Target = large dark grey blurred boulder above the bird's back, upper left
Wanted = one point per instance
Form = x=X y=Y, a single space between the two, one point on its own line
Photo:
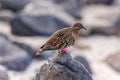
x=30 y=25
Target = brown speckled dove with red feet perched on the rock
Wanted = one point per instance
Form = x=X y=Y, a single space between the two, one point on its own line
x=62 y=39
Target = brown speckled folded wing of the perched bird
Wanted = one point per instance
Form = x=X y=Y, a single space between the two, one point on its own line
x=60 y=39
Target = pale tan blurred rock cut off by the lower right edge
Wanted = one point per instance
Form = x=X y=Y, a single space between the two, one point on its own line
x=114 y=61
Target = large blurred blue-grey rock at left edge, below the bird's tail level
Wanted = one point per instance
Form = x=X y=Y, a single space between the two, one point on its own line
x=12 y=56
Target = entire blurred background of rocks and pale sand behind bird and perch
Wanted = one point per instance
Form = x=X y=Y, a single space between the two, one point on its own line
x=26 y=24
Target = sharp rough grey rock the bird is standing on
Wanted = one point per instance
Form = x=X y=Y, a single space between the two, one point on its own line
x=63 y=67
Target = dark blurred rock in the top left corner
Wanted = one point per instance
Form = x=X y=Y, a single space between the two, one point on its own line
x=14 y=5
